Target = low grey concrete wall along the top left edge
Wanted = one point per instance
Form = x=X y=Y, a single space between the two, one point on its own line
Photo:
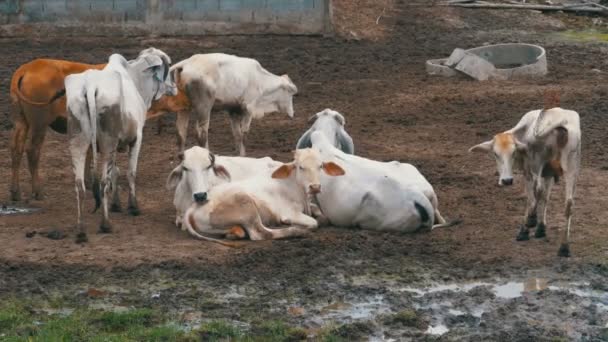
x=171 y=17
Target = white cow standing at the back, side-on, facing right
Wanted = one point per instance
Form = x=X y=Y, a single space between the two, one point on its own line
x=219 y=81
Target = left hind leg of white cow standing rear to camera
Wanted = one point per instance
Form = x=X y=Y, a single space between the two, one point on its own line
x=79 y=144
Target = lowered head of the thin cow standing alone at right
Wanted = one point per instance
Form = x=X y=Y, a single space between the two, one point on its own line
x=507 y=151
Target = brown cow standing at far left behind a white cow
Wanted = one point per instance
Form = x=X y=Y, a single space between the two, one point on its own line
x=37 y=101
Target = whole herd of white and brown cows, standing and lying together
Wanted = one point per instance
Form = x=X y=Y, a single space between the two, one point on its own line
x=103 y=109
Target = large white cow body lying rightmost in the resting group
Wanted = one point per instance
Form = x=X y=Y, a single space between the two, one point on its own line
x=375 y=195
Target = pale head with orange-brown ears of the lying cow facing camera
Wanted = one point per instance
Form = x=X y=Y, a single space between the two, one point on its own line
x=306 y=169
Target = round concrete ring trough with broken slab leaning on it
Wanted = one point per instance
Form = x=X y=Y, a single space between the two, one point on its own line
x=500 y=61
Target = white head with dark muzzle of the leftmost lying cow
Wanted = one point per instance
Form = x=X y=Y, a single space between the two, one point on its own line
x=196 y=168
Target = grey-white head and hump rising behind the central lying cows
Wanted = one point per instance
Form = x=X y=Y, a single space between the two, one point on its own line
x=331 y=123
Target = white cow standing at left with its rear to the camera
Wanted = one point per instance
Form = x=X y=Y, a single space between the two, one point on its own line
x=116 y=100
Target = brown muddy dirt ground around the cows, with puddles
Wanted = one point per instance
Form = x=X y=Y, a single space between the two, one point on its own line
x=363 y=282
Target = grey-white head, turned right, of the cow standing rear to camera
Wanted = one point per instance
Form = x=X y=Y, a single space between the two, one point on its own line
x=157 y=63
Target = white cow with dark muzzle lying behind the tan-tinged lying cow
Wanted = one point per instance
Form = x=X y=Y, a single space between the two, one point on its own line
x=200 y=170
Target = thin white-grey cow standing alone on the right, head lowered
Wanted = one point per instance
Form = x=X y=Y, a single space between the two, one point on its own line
x=545 y=144
